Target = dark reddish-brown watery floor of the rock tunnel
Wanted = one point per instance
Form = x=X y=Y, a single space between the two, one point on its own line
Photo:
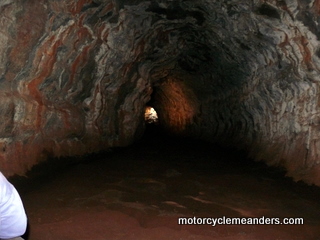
x=139 y=192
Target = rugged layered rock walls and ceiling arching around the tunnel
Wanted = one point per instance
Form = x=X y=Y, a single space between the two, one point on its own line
x=76 y=76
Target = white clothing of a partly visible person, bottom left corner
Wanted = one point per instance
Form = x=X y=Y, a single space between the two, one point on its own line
x=13 y=220
